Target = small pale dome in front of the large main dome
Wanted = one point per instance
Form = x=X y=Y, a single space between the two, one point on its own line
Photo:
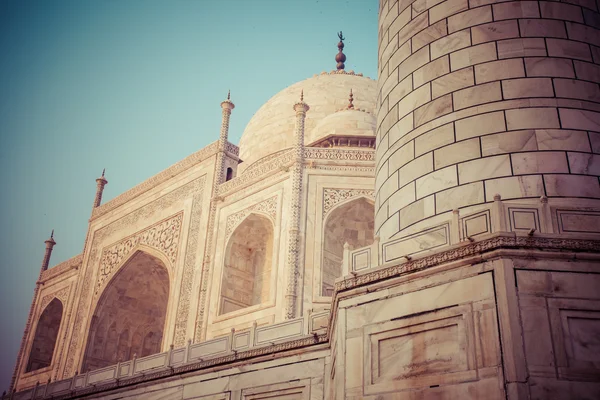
x=349 y=122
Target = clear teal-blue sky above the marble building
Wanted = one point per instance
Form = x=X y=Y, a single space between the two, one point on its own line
x=134 y=86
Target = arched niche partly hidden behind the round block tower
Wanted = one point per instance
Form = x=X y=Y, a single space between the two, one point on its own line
x=353 y=223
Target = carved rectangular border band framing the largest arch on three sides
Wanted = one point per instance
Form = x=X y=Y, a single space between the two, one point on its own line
x=195 y=189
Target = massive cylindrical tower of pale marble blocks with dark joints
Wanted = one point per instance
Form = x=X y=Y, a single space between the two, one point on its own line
x=483 y=97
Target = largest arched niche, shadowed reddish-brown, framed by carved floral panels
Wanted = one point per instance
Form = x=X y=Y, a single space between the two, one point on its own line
x=130 y=315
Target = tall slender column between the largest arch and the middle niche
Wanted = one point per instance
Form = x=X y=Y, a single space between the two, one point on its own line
x=226 y=106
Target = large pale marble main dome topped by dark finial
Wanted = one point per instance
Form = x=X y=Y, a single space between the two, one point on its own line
x=271 y=129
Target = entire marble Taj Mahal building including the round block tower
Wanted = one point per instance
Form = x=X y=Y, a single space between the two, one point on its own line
x=430 y=234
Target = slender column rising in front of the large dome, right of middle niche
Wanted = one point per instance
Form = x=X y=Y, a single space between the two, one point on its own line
x=296 y=203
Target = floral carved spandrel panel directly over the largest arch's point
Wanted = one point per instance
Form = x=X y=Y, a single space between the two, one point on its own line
x=163 y=236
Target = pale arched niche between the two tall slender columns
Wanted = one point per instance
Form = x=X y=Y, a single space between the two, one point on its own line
x=248 y=261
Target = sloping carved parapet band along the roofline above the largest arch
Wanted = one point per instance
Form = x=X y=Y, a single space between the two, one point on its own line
x=157 y=179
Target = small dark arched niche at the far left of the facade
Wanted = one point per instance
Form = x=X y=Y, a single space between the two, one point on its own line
x=45 y=337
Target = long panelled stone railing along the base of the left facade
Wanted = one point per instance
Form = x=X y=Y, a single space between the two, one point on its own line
x=235 y=346
